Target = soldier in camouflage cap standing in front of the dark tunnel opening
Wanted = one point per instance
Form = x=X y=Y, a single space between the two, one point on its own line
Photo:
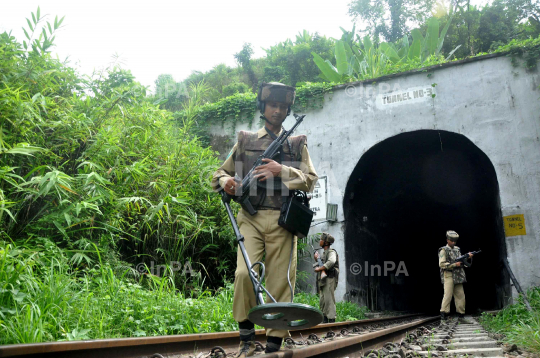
x=452 y=276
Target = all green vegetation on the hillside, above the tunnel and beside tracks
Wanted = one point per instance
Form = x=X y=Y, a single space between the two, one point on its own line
x=100 y=183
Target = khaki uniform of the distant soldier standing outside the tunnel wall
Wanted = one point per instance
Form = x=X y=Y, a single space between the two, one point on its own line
x=326 y=287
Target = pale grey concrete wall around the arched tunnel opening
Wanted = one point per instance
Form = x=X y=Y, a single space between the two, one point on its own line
x=489 y=102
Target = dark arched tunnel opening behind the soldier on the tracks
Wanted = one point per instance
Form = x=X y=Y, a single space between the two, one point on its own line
x=400 y=200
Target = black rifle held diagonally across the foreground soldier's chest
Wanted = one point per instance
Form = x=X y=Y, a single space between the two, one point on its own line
x=249 y=181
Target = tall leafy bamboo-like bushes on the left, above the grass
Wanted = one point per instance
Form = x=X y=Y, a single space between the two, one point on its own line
x=92 y=161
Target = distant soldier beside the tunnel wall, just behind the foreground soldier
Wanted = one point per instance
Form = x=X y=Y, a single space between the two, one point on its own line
x=327 y=285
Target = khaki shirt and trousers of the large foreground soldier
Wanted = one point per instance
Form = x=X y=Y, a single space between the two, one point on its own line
x=261 y=232
